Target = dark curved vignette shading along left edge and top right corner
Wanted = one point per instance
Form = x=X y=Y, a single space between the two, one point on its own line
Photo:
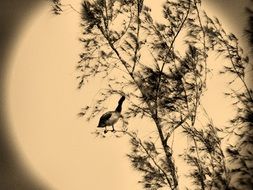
x=13 y=13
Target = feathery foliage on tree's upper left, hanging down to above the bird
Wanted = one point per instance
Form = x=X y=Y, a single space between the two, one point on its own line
x=100 y=36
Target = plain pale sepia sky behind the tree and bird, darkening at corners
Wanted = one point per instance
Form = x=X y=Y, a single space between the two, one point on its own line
x=43 y=143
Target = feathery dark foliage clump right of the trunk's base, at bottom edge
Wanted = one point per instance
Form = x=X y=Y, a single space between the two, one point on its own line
x=205 y=155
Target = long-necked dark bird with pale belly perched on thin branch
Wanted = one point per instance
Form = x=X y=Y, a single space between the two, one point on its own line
x=111 y=117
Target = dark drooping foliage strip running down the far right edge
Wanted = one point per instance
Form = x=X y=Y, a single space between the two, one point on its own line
x=240 y=152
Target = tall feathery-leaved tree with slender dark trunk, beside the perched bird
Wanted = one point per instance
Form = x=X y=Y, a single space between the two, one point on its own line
x=168 y=87
